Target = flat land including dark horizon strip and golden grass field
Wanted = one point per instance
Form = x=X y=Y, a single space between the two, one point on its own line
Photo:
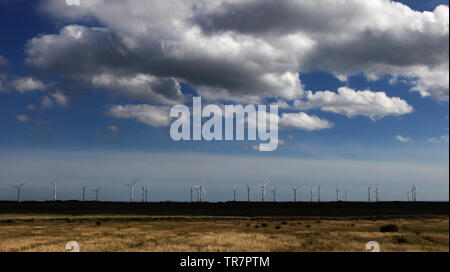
x=48 y=226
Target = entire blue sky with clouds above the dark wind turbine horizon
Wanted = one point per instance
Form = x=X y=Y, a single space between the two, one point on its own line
x=362 y=89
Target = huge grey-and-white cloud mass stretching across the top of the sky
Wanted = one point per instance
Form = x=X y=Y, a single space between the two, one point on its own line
x=226 y=50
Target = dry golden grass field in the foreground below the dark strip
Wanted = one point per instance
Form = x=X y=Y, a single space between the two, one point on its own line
x=168 y=234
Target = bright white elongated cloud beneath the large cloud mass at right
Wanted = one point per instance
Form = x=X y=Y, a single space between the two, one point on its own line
x=351 y=103
